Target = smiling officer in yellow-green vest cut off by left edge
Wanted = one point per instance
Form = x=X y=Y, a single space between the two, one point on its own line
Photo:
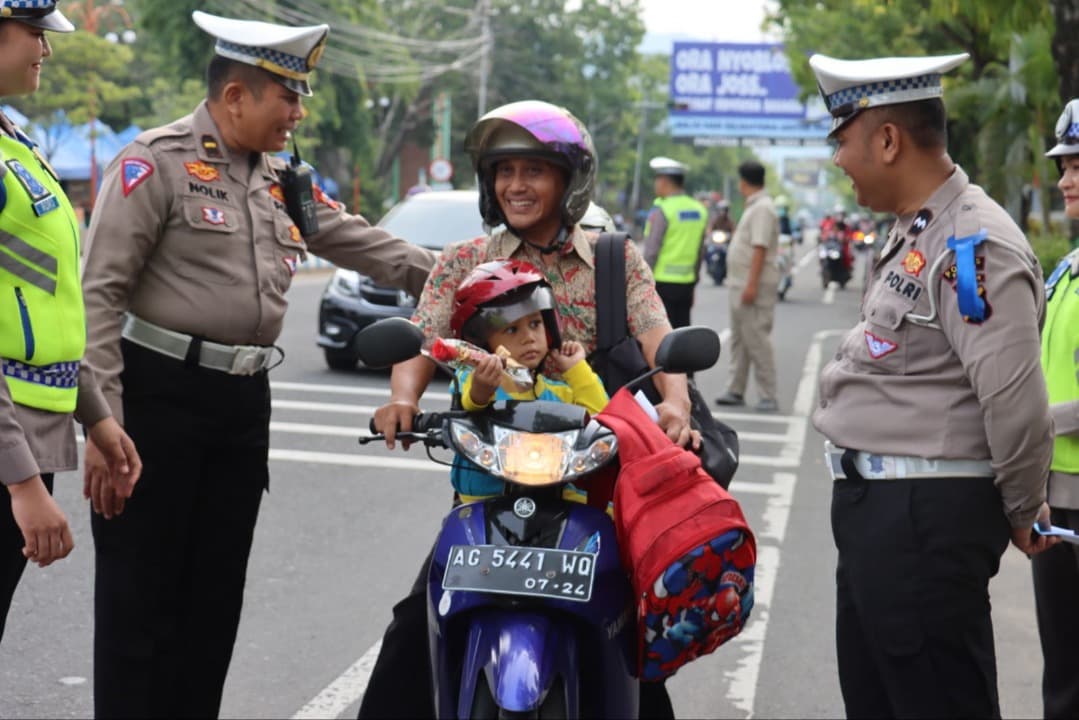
x=43 y=329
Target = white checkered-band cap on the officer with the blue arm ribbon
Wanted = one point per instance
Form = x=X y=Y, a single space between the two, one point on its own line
x=851 y=87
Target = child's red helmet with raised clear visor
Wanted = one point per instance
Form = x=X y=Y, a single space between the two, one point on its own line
x=500 y=293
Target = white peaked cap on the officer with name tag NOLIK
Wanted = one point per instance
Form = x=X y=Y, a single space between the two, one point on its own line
x=289 y=53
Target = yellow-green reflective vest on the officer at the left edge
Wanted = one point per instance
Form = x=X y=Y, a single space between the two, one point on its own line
x=43 y=320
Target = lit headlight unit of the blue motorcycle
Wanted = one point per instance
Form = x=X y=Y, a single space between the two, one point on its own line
x=534 y=459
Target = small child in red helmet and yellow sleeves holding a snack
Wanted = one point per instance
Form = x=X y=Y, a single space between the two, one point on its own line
x=510 y=304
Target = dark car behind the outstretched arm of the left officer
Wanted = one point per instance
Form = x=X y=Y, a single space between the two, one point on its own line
x=352 y=301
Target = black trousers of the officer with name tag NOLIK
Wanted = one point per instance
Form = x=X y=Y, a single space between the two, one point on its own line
x=171 y=569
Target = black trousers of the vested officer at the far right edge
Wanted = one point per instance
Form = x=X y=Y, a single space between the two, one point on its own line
x=1056 y=590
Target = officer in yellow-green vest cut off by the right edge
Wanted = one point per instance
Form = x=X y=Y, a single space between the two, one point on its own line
x=1057 y=570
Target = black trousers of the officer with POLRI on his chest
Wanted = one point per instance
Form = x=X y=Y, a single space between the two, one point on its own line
x=914 y=636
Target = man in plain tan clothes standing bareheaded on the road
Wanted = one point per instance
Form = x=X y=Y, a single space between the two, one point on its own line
x=754 y=279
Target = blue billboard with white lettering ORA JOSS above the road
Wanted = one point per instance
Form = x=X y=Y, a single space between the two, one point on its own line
x=720 y=90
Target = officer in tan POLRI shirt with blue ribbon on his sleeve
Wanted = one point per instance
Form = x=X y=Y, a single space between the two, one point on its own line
x=935 y=407
